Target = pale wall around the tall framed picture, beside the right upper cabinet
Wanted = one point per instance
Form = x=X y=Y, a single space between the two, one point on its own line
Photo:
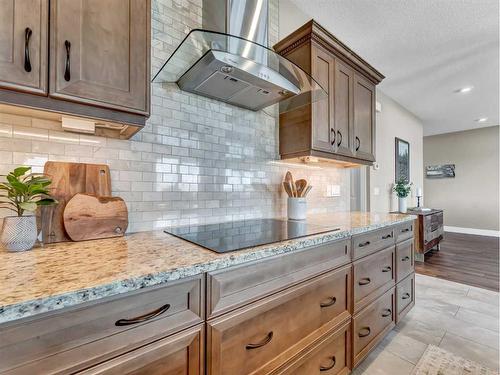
x=394 y=121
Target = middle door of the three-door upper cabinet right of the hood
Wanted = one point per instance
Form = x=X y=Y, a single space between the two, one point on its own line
x=344 y=84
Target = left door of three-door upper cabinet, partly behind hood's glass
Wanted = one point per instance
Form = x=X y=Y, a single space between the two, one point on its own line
x=323 y=133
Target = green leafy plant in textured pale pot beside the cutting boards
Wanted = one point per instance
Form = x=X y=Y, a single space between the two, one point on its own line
x=22 y=193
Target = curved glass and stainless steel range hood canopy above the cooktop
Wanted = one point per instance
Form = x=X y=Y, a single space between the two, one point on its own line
x=238 y=71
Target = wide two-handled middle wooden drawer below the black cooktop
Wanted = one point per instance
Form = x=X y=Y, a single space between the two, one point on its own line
x=243 y=341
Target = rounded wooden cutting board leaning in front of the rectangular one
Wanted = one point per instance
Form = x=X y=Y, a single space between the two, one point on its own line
x=90 y=217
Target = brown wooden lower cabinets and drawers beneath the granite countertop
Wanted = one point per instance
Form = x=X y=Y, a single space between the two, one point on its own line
x=318 y=310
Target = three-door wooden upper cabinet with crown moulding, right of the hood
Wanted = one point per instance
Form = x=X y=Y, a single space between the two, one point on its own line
x=342 y=126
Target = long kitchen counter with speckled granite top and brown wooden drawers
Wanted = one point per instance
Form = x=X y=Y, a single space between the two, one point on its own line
x=150 y=300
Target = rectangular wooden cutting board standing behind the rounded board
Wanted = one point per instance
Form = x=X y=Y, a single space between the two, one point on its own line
x=69 y=179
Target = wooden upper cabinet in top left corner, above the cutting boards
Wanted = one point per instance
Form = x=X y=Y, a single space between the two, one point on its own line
x=99 y=64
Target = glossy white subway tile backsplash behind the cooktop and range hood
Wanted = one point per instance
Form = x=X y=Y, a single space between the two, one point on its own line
x=196 y=161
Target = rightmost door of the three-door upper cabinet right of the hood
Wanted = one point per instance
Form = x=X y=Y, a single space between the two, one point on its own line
x=364 y=119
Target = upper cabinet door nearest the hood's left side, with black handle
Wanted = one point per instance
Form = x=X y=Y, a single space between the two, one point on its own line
x=100 y=53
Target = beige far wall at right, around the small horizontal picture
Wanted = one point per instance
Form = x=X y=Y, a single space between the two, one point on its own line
x=470 y=200
